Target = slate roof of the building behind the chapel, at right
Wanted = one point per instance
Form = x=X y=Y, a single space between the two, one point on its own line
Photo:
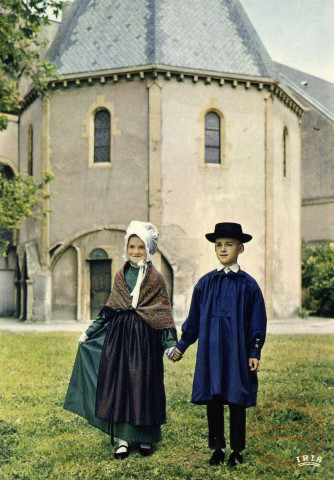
x=315 y=90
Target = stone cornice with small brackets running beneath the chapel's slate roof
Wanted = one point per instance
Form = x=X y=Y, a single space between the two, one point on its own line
x=177 y=73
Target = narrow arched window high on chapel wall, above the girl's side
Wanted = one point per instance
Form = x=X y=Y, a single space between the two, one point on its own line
x=102 y=136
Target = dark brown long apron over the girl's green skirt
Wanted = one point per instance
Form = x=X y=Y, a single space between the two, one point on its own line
x=130 y=386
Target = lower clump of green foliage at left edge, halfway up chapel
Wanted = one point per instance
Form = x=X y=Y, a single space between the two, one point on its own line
x=20 y=197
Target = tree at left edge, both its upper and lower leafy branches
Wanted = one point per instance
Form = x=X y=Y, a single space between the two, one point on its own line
x=21 y=55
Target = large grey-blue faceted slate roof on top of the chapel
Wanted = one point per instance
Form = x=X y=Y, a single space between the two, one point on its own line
x=211 y=35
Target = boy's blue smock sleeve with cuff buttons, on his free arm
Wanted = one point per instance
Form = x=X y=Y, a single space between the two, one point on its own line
x=257 y=324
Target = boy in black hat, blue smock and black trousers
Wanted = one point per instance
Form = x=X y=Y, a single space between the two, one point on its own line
x=227 y=316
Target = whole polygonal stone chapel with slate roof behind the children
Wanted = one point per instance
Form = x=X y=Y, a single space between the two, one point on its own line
x=164 y=111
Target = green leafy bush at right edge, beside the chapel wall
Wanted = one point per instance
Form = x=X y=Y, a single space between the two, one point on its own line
x=318 y=279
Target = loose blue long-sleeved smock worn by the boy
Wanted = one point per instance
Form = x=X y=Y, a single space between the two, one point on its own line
x=227 y=316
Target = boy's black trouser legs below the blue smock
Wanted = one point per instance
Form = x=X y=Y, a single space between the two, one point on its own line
x=215 y=413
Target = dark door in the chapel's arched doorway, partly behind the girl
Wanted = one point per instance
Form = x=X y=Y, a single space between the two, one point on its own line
x=100 y=285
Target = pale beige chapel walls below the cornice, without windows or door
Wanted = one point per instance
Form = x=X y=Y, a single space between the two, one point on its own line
x=157 y=172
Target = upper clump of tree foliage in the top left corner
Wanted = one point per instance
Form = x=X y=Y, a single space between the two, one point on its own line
x=20 y=49
